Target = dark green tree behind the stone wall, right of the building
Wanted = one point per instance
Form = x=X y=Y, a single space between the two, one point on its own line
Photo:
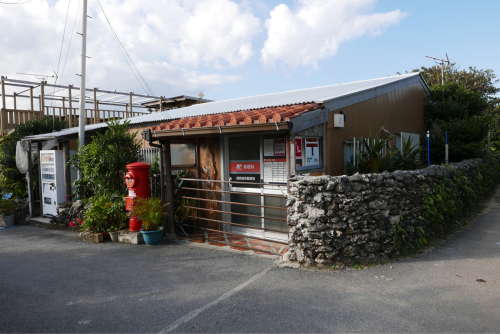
x=463 y=107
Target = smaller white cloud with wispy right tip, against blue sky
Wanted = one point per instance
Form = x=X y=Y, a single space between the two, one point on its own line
x=316 y=28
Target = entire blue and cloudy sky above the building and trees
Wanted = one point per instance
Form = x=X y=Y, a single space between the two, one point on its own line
x=229 y=49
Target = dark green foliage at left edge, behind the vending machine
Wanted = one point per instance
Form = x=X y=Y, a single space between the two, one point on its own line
x=10 y=178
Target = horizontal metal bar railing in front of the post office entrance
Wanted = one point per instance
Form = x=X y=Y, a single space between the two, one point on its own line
x=208 y=196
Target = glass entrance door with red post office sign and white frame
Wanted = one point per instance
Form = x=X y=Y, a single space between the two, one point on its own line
x=257 y=159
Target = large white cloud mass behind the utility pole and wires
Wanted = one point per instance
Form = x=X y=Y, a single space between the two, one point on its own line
x=180 y=46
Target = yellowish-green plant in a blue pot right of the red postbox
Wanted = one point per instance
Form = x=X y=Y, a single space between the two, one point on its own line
x=150 y=212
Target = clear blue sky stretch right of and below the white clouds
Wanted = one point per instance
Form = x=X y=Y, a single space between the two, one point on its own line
x=466 y=30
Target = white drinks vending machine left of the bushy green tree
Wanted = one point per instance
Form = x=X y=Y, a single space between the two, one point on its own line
x=52 y=167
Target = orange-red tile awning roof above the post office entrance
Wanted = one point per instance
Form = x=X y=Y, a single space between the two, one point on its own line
x=264 y=115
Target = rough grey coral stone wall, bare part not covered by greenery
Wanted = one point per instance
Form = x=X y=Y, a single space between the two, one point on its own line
x=350 y=219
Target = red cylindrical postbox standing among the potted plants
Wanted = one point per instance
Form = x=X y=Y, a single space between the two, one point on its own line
x=137 y=181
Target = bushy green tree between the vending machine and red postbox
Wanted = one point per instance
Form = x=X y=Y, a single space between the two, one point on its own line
x=102 y=162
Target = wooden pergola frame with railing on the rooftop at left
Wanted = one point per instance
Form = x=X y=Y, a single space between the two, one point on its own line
x=26 y=100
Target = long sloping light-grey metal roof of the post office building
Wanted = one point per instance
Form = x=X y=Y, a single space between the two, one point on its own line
x=317 y=94
